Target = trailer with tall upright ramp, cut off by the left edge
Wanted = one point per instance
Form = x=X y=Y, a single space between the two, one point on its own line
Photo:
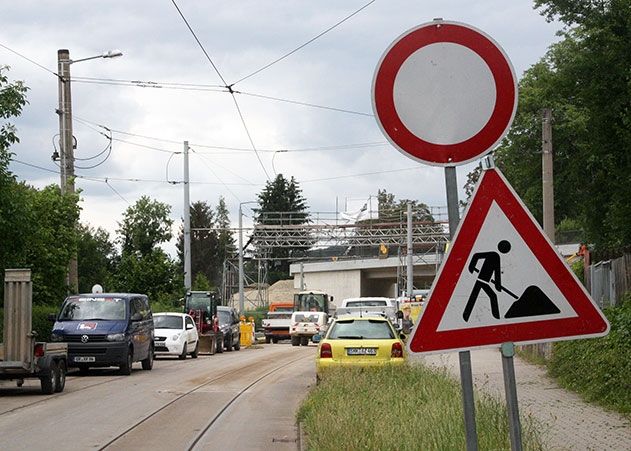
x=21 y=356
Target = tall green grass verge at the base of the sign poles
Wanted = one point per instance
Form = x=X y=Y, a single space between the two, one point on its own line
x=409 y=408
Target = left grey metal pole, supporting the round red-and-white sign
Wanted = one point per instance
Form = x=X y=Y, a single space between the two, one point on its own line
x=466 y=378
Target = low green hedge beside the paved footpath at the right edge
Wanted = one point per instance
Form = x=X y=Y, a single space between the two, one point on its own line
x=599 y=368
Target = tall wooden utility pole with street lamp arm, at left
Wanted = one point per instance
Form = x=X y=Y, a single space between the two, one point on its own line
x=66 y=141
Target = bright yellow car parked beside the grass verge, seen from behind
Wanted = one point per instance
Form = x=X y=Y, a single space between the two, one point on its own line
x=359 y=341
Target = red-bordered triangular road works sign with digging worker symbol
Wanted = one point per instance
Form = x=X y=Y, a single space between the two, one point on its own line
x=503 y=281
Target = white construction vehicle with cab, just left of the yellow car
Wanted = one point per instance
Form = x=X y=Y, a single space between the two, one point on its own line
x=310 y=317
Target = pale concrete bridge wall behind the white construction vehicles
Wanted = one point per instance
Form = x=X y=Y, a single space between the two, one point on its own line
x=339 y=284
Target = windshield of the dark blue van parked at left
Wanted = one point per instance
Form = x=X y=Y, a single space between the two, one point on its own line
x=93 y=308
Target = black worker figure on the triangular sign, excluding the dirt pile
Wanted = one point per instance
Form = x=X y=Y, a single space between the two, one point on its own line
x=489 y=273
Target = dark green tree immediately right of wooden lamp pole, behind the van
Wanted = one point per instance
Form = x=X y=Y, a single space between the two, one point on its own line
x=97 y=257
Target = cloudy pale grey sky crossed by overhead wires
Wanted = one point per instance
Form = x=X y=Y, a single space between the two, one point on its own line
x=336 y=156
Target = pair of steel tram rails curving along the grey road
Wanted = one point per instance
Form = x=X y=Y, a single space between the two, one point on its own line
x=182 y=399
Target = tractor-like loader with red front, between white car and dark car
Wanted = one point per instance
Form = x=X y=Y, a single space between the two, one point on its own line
x=202 y=306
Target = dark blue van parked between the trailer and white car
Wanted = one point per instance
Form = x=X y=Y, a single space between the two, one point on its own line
x=106 y=329
